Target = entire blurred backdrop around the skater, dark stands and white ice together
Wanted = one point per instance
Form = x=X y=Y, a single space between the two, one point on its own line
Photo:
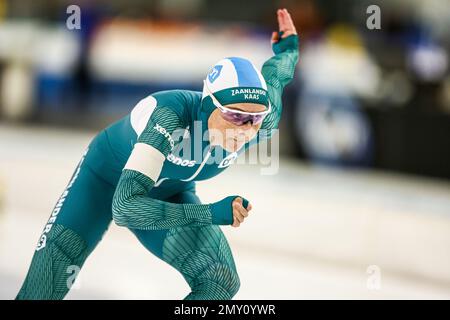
x=360 y=207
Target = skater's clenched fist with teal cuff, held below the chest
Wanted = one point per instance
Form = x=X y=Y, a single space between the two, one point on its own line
x=231 y=210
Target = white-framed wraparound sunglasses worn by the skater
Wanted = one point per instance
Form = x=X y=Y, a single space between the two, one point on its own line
x=237 y=117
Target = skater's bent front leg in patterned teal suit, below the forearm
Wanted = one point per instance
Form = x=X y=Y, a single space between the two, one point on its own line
x=201 y=254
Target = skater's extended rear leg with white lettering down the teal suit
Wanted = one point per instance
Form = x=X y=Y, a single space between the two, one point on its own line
x=76 y=225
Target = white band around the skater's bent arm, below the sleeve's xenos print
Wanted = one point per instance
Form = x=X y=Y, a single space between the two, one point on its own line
x=146 y=160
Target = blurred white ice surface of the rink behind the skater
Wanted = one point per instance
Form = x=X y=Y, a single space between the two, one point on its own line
x=312 y=234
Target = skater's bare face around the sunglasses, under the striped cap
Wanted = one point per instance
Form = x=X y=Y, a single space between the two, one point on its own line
x=228 y=135
